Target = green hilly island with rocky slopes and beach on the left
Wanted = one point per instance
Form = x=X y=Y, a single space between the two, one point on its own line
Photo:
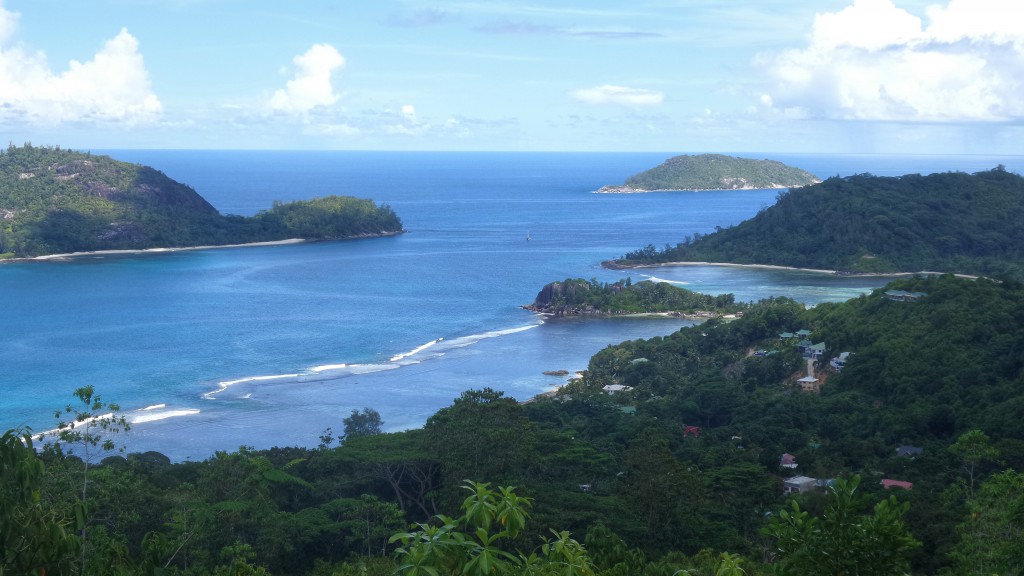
x=56 y=201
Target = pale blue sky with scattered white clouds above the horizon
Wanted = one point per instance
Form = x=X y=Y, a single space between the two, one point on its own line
x=741 y=76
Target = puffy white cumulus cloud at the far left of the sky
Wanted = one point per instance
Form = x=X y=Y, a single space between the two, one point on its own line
x=114 y=87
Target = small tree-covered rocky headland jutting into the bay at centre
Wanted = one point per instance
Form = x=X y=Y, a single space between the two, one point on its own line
x=576 y=297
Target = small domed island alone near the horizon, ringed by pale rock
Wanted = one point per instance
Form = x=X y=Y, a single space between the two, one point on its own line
x=714 y=172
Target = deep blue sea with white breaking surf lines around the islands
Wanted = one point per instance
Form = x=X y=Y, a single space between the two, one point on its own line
x=265 y=347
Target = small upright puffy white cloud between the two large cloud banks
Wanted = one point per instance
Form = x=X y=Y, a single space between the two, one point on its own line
x=311 y=87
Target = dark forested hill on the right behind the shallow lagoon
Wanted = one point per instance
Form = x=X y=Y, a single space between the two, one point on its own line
x=954 y=222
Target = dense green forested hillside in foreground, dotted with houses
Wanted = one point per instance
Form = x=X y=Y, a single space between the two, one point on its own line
x=680 y=473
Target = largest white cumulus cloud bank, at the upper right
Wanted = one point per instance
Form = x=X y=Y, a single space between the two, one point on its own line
x=874 y=61
